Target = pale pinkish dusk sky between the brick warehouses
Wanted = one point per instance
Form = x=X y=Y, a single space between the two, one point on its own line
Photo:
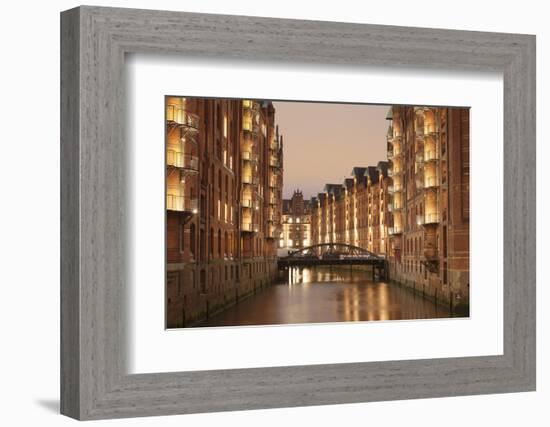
x=323 y=142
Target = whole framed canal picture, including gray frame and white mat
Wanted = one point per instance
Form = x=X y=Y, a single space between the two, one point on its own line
x=262 y=213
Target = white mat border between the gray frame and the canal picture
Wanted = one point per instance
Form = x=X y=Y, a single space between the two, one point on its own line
x=152 y=349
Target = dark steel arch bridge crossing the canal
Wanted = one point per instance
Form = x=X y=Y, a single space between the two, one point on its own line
x=334 y=254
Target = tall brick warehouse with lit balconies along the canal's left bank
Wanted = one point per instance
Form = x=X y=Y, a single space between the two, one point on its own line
x=223 y=203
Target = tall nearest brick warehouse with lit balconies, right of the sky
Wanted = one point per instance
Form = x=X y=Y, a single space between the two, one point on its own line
x=428 y=150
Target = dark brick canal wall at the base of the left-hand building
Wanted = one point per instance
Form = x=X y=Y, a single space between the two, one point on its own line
x=195 y=292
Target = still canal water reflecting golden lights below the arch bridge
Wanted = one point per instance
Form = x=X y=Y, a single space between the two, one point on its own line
x=313 y=295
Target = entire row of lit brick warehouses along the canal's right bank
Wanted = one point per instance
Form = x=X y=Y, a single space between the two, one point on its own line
x=414 y=208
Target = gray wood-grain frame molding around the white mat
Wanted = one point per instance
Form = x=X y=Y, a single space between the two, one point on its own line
x=94 y=40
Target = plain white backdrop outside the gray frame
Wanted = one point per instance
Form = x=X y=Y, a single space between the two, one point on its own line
x=29 y=218
